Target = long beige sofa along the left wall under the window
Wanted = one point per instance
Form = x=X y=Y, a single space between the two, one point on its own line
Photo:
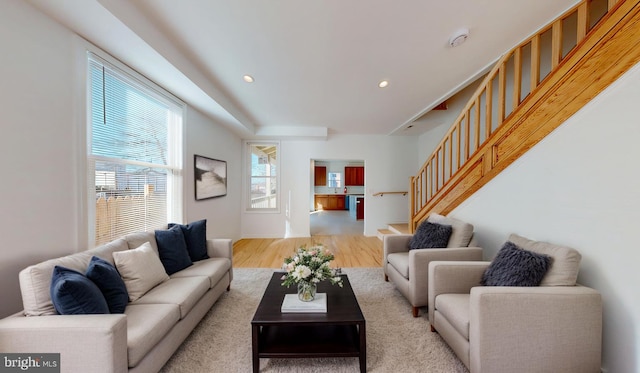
x=142 y=338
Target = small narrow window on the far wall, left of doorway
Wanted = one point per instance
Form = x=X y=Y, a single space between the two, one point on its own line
x=263 y=176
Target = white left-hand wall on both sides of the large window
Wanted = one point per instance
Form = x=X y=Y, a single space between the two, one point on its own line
x=41 y=146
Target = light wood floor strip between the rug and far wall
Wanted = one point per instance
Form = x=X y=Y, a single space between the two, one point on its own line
x=349 y=250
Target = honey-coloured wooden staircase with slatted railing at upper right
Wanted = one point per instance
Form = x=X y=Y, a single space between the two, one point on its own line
x=531 y=91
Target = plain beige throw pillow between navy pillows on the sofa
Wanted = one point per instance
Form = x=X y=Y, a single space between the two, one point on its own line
x=141 y=269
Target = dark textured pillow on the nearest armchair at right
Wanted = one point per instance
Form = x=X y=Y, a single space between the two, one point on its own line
x=514 y=266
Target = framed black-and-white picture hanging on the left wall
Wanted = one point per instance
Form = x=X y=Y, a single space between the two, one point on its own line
x=210 y=177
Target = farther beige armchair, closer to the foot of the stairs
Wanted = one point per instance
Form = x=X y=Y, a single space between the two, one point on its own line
x=408 y=269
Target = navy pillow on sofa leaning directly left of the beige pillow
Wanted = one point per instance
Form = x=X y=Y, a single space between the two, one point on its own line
x=108 y=280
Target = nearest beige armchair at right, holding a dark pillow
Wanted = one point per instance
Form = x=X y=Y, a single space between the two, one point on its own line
x=498 y=329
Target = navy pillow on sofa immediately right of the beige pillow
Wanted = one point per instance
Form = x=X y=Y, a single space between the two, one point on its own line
x=172 y=249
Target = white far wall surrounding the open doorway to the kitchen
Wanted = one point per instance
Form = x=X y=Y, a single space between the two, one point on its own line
x=389 y=162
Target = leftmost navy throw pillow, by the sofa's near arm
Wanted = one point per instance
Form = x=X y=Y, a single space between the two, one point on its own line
x=74 y=294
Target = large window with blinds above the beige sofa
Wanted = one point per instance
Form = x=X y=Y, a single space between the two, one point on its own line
x=134 y=154
